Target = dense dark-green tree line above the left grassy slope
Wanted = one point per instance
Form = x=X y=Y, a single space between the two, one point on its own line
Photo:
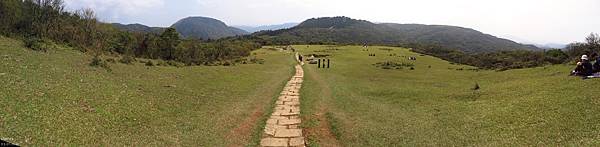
x=43 y=22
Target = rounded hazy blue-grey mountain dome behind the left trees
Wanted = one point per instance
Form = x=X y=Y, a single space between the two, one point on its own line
x=205 y=28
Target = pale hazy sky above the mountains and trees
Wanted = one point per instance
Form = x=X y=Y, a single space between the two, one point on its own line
x=525 y=21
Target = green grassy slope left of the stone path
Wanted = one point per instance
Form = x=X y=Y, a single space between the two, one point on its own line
x=55 y=98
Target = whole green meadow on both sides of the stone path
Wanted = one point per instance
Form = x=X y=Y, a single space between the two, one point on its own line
x=55 y=98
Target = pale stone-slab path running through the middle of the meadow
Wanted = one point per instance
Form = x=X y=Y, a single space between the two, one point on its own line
x=282 y=127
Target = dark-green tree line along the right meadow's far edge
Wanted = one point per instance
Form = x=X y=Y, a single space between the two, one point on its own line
x=513 y=59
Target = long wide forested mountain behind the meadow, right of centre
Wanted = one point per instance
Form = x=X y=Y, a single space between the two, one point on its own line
x=352 y=31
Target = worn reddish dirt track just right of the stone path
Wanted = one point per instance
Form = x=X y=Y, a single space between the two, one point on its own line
x=322 y=132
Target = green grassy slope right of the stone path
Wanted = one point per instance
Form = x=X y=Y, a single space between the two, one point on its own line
x=370 y=106
